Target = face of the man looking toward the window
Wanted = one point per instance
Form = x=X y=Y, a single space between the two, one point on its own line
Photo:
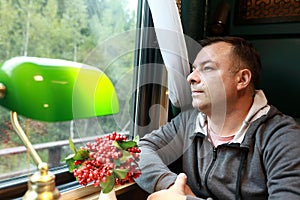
x=212 y=82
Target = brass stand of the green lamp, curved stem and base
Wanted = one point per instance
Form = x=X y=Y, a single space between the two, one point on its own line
x=41 y=185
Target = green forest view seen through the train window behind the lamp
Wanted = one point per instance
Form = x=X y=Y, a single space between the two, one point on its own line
x=95 y=32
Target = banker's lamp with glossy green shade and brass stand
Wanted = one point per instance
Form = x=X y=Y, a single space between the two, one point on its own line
x=52 y=90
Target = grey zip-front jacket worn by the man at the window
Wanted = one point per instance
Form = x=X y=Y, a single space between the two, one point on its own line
x=265 y=165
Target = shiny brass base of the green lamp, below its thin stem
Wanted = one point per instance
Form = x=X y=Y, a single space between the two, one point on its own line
x=41 y=185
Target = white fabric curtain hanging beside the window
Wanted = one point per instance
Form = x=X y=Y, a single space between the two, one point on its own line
x=170 y=37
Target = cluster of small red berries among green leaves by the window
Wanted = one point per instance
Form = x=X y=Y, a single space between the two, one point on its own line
x=104 y=157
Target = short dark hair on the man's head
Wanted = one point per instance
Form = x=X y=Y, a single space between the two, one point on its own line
x=243 y=50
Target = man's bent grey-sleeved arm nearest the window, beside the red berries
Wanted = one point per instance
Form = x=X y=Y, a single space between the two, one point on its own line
x=159 y=149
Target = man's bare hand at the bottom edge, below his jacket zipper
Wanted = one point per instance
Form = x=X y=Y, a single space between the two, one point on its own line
x=178 y=191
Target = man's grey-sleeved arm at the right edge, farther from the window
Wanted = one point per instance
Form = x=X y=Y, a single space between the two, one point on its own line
x=281 y=159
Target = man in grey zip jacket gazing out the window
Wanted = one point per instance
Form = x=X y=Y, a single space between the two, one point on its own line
x=233 y=145
